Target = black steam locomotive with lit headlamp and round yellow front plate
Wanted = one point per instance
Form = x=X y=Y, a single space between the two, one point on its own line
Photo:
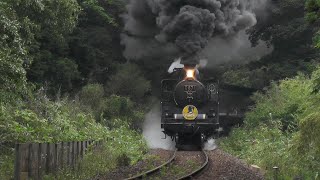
x=191 y=109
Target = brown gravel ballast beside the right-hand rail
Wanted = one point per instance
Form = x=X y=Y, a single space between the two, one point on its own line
x=226 y=167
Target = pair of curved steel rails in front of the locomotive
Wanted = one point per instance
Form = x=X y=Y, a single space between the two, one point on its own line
x=170 y=161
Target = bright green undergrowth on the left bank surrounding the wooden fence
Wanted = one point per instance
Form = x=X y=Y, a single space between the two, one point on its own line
x=39 y=119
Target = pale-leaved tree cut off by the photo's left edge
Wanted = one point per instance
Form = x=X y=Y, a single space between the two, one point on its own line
x=12 y=51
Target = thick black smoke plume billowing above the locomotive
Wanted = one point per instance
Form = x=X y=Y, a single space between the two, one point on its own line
x=182 y=28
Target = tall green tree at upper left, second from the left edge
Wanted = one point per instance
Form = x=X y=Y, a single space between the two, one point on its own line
x=51 y=23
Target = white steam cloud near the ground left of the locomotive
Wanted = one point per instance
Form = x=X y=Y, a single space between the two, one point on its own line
x=153 y=133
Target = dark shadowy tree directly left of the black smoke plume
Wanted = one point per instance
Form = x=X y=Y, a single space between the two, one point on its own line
x=95 y=43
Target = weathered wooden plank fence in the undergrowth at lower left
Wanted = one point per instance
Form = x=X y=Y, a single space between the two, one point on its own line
x=34 y=160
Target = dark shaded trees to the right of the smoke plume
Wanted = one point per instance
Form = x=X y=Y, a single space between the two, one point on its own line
x=285 y=29
